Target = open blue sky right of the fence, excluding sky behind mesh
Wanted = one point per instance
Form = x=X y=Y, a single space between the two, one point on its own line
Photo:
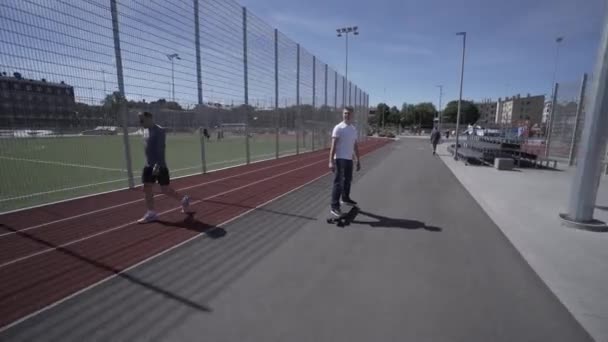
x=408 y=47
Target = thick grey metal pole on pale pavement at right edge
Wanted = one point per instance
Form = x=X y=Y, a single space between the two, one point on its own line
x=593 y=144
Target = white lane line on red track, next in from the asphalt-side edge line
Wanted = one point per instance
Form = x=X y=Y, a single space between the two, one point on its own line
x=122 y=226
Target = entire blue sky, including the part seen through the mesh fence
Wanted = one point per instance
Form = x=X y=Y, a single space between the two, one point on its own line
x=405 y=47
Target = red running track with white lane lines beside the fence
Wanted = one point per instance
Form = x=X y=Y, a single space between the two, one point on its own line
x=51 y=252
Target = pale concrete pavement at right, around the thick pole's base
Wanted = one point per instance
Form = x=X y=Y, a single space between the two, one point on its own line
x=525 y=204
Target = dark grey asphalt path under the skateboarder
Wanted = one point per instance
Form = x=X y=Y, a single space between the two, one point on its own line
x=422 y=262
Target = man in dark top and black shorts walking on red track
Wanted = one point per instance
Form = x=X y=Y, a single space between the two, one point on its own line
x=156 y=169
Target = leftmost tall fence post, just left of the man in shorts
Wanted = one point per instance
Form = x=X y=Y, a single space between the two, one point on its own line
x=122 y=105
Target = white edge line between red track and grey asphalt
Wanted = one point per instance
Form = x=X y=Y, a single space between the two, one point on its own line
x=150 y=258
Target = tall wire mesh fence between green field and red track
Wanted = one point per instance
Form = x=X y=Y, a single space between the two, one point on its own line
x=228 y=88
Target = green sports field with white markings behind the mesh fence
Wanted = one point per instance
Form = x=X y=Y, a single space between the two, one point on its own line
x=35 y=171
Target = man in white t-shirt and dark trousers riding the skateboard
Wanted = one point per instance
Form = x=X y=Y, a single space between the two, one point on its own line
x=343 y=146
